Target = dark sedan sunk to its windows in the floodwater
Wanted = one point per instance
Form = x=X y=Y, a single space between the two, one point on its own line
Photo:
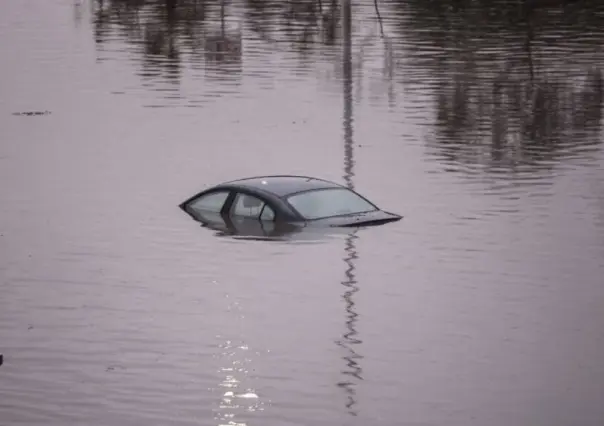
x=275 y=205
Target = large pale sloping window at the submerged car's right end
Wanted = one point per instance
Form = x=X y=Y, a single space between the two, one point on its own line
x=322 y=203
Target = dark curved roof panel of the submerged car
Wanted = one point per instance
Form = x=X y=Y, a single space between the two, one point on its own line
x=283 y=185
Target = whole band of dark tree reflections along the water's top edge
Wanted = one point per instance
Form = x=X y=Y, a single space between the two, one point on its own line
x=504 y=93
